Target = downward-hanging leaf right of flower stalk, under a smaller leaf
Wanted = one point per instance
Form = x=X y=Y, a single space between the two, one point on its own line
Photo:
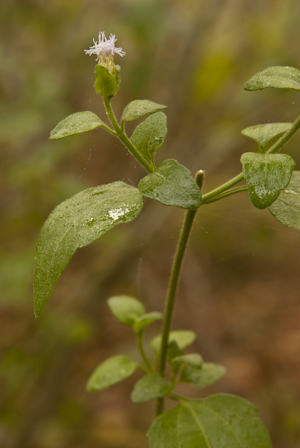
x=149 y=136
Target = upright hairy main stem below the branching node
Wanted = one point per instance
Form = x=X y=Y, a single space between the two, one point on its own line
x=181 y=247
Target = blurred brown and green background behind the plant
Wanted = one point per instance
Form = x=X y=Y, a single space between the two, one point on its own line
x=240 y=285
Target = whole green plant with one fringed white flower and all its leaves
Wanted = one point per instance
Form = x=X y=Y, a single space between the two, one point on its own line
x=220 y=420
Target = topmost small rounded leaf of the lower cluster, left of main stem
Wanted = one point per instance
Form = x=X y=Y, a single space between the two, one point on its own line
x=126 y=309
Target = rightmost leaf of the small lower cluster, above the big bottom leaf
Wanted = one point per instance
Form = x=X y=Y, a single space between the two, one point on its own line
x=209 y=374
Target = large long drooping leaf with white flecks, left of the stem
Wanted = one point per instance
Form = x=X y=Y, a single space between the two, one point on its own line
x=75 y=223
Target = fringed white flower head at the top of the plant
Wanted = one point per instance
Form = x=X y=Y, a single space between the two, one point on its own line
x=105 y=50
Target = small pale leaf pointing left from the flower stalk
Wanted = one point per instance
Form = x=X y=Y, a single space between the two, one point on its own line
x=76 y=124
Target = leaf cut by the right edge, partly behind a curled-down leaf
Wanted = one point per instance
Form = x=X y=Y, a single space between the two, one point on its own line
x=286 y=209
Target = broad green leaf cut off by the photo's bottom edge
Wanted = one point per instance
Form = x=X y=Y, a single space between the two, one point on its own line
x=219 y=421
